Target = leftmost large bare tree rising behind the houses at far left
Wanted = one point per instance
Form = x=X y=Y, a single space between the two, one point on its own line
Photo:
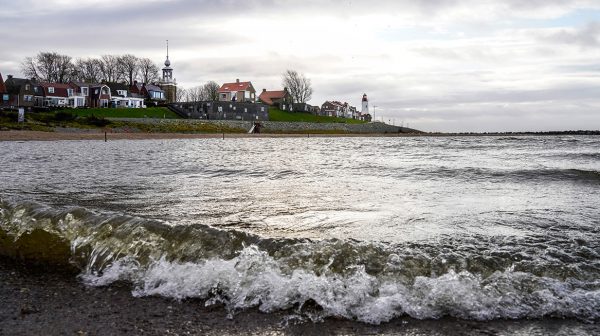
x=49 y=67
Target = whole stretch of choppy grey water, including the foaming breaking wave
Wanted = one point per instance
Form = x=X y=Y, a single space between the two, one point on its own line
x=361 y=228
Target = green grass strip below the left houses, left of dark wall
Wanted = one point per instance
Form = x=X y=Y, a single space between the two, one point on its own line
x=150 y=112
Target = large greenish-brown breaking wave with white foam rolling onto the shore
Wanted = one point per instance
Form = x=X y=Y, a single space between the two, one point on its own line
x=368 y=282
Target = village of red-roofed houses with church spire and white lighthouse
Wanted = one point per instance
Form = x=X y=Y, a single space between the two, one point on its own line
x=237 y=100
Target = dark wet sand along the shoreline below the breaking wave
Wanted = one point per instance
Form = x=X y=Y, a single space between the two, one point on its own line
x=49 y=302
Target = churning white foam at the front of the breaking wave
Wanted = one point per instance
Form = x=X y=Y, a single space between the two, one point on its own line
x=254 y=279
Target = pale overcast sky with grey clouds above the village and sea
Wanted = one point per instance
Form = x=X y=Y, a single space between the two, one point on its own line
x=434 y=65
